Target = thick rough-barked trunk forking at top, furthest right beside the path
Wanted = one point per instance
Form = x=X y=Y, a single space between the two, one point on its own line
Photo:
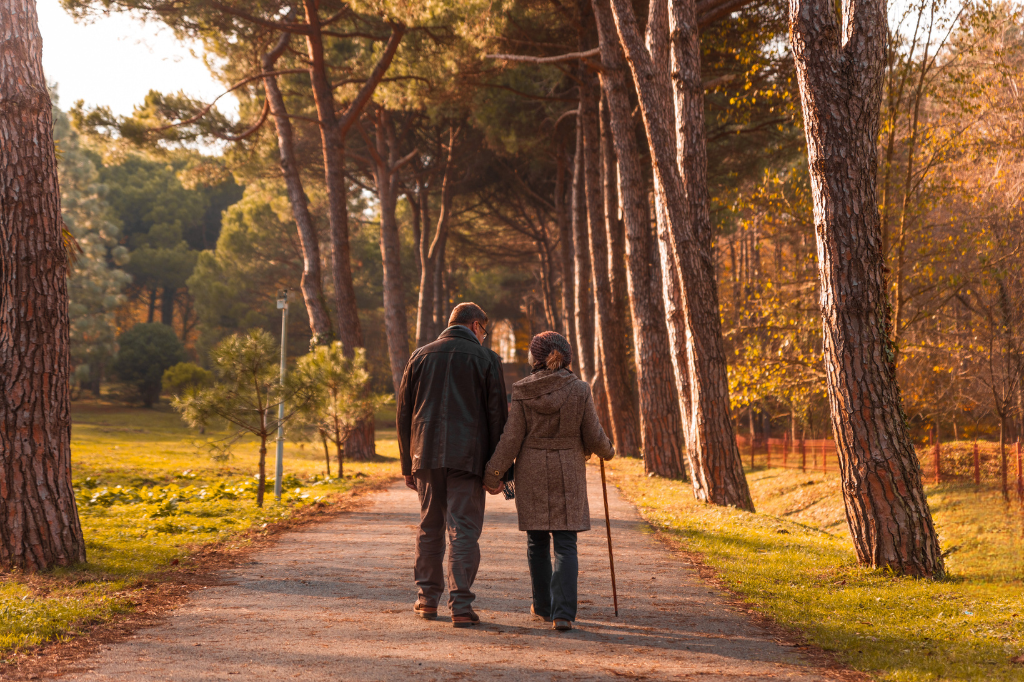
x=840 y=72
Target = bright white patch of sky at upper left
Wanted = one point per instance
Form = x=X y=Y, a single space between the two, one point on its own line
x=115 y=61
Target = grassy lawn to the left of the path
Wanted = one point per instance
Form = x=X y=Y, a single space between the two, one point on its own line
x=150 y=494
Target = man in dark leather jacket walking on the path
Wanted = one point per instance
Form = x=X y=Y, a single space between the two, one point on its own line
x=452 y=411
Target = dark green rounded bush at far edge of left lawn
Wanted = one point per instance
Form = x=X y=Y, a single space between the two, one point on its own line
x=147 y=352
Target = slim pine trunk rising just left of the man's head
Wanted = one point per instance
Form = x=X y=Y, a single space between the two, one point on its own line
x=388 y=166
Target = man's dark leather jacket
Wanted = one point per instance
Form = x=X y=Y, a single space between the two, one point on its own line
x=452 y=405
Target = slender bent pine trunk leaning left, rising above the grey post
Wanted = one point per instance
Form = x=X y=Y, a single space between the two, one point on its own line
x=312 y=284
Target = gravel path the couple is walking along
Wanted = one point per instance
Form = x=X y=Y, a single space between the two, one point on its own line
x=334 y=603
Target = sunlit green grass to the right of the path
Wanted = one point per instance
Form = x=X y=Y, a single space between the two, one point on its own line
x=794 y=562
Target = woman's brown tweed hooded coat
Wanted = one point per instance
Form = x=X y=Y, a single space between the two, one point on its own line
x=551 y=432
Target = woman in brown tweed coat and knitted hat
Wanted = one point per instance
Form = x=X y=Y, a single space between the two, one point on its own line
x=551 y=432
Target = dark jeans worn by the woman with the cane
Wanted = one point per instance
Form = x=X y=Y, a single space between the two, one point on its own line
x=554 y=591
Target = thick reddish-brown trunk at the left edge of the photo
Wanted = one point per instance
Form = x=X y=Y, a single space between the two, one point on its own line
x=39 y=526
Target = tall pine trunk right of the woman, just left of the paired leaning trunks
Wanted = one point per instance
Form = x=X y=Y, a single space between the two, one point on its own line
x=661 y=429
